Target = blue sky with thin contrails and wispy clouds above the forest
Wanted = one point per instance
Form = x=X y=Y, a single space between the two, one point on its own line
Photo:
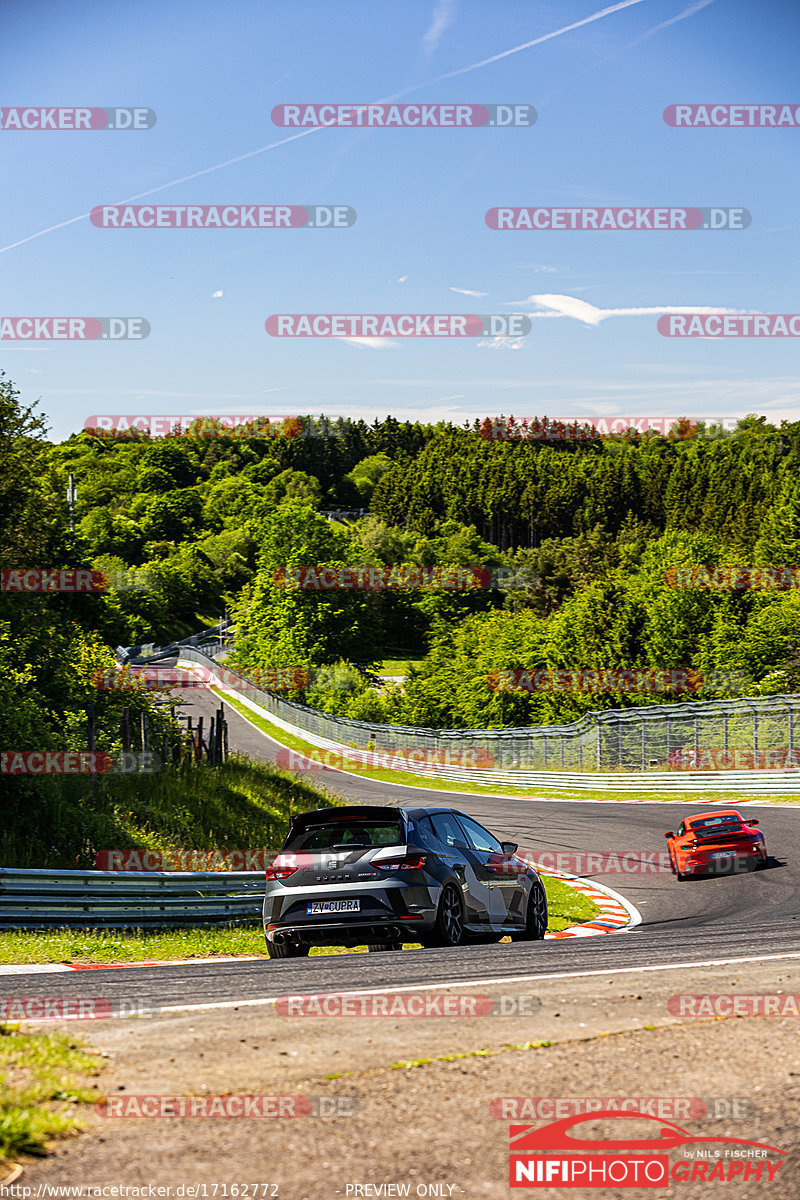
x=214 y=73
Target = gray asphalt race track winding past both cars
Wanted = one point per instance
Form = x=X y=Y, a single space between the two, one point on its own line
x=732 y=917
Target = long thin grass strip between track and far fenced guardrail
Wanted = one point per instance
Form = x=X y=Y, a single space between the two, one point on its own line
x=444 y=785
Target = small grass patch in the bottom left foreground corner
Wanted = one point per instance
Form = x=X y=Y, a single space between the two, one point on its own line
x=43 y=1088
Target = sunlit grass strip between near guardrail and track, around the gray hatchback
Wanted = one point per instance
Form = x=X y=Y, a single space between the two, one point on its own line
x=567 y=908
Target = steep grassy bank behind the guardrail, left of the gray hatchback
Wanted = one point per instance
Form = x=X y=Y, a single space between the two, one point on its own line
x=242 y=805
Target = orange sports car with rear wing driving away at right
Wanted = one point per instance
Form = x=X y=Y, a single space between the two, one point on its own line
x=715 y=844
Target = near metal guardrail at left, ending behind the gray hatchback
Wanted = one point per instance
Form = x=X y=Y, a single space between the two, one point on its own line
x=47 y=899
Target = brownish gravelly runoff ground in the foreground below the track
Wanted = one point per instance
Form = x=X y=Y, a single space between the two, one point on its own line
x=430 y=1126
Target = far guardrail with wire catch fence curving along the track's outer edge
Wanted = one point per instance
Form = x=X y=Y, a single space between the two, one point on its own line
x=635 y=745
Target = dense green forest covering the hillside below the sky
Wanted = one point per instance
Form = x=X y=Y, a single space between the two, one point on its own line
x=585 y=531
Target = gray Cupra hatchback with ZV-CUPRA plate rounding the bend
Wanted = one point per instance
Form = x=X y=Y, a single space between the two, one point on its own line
x=383 y=877
